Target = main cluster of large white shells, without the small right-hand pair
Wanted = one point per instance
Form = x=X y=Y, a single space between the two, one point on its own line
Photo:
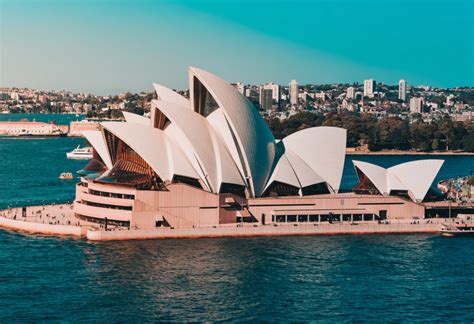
x=233 y=144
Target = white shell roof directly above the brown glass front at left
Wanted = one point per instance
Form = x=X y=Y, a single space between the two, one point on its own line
x=155 y=148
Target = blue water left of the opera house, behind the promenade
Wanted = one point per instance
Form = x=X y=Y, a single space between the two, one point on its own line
x=30 y=169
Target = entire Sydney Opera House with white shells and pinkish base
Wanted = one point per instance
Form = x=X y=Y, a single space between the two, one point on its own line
x=211 y=160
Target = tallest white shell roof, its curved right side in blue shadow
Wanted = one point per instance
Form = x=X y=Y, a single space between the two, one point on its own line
x=252 y=135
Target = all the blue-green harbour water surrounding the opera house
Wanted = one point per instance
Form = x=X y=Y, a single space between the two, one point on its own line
x=330 y=278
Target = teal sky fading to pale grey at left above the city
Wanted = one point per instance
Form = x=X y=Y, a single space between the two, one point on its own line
x=111 y=46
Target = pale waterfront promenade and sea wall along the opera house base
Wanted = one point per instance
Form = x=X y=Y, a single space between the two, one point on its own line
x=59 y=220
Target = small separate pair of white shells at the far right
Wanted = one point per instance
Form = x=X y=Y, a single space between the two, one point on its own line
x=415 y=176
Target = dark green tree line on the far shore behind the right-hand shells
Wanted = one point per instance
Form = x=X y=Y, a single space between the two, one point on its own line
x=388 y=133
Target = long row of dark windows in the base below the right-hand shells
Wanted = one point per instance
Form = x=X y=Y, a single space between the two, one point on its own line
x=322 y=218
